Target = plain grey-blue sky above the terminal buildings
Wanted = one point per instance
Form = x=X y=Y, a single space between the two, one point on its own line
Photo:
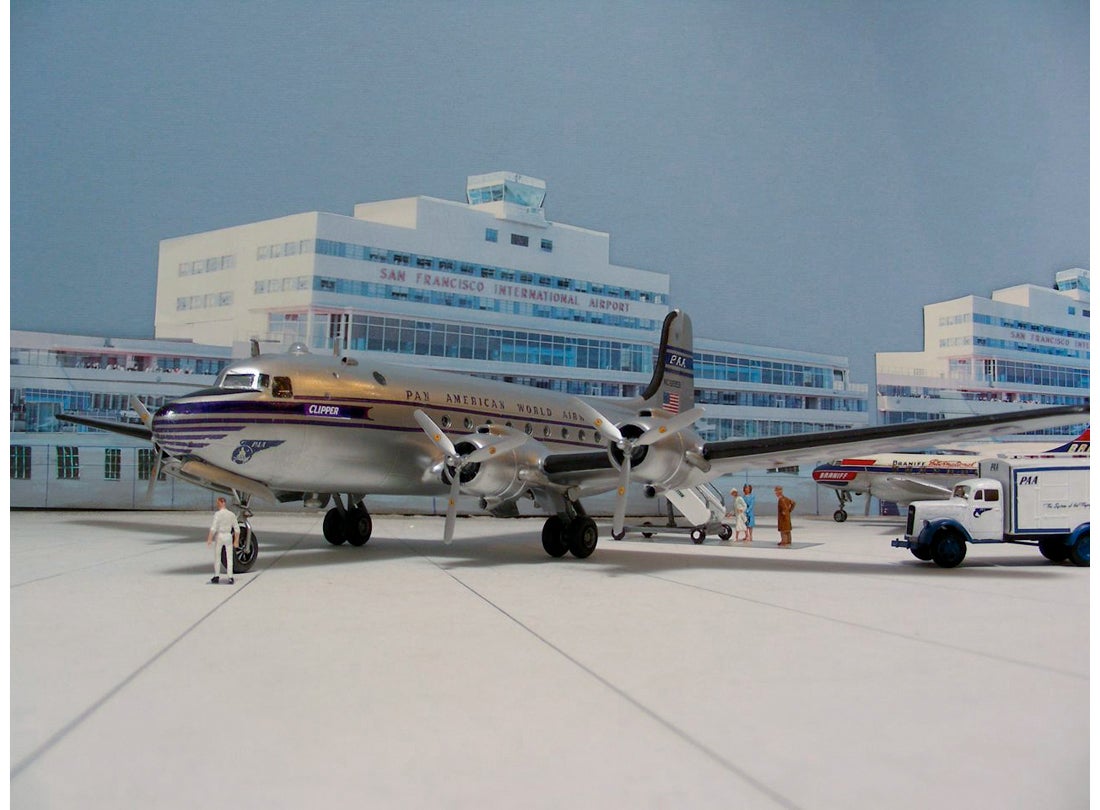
x=809 y=173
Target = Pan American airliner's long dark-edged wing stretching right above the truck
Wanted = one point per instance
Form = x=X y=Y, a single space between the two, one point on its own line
x=593 y=470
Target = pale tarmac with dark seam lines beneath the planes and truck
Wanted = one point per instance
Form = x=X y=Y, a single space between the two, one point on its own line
x=408 y=674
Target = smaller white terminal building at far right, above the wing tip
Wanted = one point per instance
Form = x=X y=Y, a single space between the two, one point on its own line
x=1026 y=346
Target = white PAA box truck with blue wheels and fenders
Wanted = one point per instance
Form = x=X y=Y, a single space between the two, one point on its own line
x=1036 y=501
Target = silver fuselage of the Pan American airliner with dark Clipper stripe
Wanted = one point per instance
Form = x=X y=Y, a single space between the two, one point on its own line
x=316 y=424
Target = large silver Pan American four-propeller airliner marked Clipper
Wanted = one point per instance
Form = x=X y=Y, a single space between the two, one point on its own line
x=302 y=428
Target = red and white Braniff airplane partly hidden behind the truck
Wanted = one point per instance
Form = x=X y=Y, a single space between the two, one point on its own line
x=904 y=478
